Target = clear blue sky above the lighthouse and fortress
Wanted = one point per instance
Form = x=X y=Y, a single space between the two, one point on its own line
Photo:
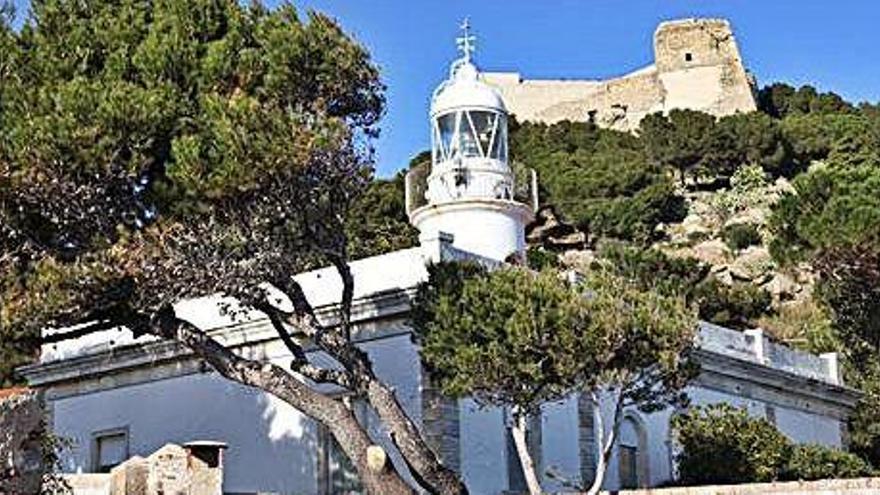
x=833 y=45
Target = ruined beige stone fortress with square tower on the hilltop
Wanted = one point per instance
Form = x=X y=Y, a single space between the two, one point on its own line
x=697 y=65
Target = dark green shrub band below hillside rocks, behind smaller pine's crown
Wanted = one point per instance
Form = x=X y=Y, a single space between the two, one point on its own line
x=737 y=305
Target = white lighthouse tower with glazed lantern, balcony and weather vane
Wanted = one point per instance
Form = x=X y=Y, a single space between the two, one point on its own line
x=470 y=191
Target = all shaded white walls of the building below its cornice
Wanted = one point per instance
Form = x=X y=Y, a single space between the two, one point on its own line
x=272 y=446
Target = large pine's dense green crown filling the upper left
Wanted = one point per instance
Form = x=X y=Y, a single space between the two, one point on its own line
x=155 y=150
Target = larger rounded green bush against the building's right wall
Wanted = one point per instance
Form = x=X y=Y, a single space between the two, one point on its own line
x=724 y=445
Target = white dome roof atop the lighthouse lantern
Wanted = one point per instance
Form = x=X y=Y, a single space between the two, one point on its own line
x=464 y=90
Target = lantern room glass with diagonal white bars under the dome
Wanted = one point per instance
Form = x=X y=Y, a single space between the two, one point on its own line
x=470 y=134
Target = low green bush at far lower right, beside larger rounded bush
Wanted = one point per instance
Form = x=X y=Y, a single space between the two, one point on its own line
x=817 y=462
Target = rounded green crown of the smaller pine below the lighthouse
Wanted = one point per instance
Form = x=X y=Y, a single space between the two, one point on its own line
x=516 y=337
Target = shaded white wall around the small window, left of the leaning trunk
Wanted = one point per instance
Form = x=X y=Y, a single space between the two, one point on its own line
x=271 y=444
